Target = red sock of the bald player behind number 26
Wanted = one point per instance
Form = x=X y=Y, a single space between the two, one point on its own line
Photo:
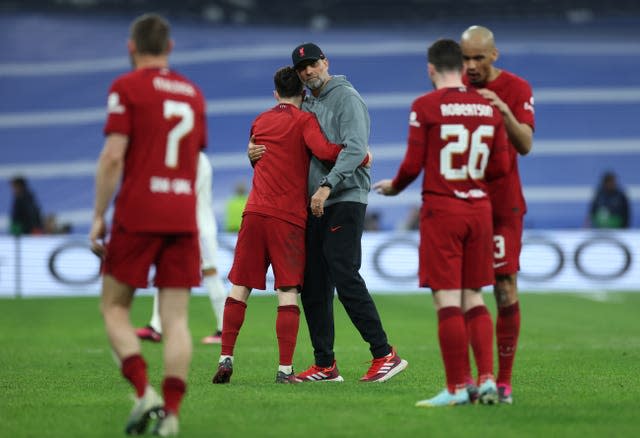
x=507 y=333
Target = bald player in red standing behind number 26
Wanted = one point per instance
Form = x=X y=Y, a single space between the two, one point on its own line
x=512 y=96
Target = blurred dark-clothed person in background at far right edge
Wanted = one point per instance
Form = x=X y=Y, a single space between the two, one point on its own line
x=610 y=205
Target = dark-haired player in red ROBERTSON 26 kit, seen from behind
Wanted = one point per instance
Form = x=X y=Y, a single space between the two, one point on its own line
x=459 y=141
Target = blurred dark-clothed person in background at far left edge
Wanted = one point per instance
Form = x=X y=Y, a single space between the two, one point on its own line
x=25 y=211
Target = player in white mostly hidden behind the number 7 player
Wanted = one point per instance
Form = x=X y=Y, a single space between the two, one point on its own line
x=208 y=234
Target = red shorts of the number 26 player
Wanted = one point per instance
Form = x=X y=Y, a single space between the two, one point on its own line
x=456 y=251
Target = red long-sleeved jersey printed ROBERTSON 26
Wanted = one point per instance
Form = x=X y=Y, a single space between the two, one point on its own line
x=459 y=140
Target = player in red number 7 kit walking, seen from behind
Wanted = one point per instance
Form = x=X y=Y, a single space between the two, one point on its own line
x=155 y=128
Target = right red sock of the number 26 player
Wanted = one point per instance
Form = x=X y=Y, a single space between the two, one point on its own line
x=480 y=331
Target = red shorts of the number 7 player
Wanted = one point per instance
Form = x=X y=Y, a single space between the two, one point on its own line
x=175 y=256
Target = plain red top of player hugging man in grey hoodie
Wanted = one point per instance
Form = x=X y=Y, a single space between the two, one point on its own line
x=280 y=177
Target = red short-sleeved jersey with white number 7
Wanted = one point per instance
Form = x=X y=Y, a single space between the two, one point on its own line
x=163 y=114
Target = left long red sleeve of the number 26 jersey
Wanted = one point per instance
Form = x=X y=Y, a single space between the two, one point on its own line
x=415 y=155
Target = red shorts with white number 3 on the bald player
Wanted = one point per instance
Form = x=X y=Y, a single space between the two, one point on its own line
x=507 y=244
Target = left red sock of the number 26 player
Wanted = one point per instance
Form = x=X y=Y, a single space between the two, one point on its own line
x=453 y=345
